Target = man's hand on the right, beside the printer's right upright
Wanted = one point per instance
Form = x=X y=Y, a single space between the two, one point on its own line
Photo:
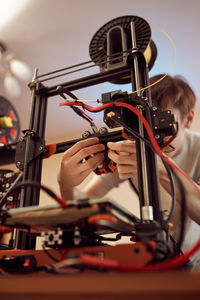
x=124 y=155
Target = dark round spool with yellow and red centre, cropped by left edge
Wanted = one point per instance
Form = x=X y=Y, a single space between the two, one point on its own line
x=9 y=123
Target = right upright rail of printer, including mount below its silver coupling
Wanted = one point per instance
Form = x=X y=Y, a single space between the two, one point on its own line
x=149 y=191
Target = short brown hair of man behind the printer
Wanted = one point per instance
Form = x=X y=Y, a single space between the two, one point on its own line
x=173 y=92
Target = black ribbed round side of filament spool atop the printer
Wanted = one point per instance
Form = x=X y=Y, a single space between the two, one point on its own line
x=98 y=44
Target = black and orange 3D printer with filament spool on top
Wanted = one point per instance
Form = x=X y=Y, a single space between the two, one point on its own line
x=124 y=52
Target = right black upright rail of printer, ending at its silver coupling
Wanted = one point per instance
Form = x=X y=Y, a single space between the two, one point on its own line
x=149 y=195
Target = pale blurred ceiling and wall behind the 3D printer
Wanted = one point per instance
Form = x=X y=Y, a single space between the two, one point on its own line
x=53 y=34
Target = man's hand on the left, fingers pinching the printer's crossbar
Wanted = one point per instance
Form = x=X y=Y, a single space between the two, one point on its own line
x=77 y=163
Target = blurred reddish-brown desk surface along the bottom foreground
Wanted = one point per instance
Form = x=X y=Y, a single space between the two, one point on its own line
x=92 y=285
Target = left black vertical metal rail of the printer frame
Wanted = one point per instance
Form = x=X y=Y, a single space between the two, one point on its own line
x=32 y=170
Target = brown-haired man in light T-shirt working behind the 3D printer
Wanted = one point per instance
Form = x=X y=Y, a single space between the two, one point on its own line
x=172 y=93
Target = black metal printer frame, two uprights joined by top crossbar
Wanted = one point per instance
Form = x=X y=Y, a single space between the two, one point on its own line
x=35 y=144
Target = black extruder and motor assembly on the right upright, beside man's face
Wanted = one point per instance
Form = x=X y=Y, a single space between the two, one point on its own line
x=163 y=122
